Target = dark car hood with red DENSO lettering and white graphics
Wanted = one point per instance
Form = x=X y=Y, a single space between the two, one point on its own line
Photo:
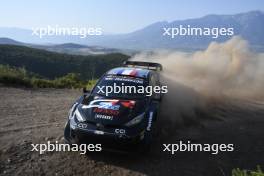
x=109 y=111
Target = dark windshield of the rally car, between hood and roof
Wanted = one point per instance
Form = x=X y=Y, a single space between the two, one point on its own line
x=120 y=87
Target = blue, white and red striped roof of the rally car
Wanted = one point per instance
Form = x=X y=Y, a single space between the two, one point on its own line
x=129 y=71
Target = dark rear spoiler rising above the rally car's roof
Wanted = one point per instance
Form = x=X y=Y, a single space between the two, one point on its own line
x=148 y=65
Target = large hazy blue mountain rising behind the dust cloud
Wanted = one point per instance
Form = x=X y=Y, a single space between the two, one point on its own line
x=248 y=25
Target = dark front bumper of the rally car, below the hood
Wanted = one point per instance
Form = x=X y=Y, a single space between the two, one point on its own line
x=108 y=136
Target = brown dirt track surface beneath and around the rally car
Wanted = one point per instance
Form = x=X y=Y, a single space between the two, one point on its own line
x=35 y=116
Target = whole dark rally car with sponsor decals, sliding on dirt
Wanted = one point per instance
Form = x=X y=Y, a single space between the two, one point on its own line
x=117 y=120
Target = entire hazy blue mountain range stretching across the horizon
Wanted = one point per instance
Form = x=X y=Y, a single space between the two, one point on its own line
x=249 y=25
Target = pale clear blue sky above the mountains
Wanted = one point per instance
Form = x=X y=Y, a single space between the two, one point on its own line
x=113 y=16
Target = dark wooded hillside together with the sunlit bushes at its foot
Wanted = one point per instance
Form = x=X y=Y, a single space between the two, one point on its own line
x=29 y=67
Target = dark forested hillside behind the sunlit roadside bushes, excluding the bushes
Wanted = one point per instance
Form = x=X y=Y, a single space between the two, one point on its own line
x=51 y=65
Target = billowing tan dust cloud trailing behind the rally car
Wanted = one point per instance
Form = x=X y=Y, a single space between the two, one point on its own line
x=222 y=71
